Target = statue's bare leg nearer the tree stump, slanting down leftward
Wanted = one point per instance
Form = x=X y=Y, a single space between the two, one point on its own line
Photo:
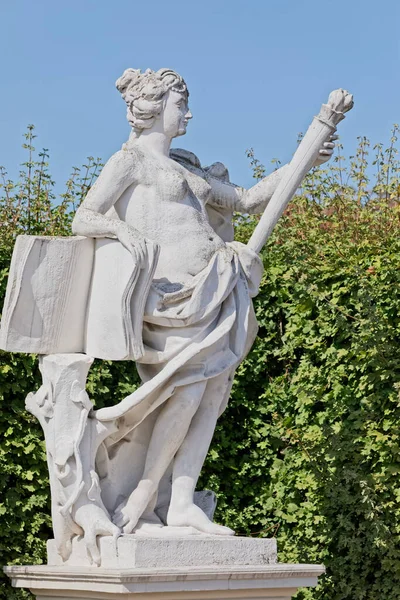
x=168 y=434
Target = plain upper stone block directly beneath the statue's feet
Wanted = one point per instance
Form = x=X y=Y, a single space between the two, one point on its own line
x=133 y=551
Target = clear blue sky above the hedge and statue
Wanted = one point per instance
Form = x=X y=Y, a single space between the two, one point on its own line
x=257 y=72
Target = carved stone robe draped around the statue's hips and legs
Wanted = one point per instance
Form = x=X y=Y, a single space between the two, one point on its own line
x=199 y=332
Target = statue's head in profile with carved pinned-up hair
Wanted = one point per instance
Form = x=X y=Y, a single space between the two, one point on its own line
x=155 y=96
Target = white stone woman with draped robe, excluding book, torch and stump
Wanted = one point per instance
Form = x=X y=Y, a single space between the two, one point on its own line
x=198 y=322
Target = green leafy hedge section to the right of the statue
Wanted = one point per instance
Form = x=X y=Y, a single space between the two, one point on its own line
x=308 y=450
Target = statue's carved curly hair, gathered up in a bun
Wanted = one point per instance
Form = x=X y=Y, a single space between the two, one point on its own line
x=144 y=92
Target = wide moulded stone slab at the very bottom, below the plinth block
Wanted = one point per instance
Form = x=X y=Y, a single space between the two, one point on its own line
x=275 y=582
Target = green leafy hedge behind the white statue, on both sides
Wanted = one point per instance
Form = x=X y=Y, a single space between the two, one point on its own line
x=308 y=449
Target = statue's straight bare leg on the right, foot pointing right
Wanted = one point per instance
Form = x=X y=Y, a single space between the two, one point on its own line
x=189 y=461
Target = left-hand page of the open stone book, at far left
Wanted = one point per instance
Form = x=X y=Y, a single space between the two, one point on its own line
x=45 y=307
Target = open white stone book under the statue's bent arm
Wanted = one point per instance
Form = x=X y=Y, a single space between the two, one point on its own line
x=76 y=294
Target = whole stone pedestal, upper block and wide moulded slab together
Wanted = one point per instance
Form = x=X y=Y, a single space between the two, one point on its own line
x=174 y=567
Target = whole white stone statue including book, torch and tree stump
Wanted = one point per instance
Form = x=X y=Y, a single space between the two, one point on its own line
x=161 y=281
